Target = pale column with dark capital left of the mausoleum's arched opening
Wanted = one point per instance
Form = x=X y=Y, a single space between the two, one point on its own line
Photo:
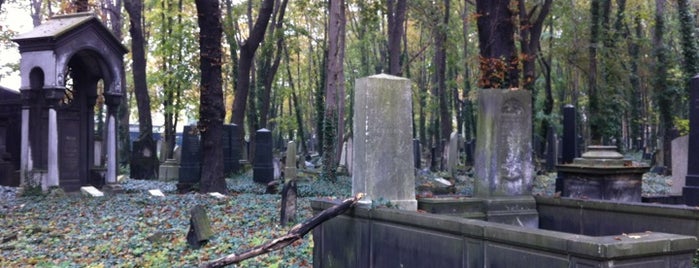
x=53 y=96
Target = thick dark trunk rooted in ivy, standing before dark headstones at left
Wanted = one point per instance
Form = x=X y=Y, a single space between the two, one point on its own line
x=211 y=110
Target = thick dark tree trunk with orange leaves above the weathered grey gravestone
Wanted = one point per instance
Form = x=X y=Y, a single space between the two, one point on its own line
x=498 y=57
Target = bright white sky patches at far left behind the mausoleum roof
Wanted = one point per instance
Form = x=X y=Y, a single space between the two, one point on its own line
x=15 y=17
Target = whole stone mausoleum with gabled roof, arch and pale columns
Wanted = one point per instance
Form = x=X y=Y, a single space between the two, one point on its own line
x=71 y=66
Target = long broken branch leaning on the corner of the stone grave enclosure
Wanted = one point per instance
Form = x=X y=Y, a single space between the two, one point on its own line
x=297 y=232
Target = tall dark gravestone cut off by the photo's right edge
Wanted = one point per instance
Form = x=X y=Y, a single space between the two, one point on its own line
x=691 y=188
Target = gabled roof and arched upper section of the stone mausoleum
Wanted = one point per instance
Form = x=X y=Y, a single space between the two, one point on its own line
x=51 y=45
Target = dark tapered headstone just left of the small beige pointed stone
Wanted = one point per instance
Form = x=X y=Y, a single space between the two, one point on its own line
x=263 y=169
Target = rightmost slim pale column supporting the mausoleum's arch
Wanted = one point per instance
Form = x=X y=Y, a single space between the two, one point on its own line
x=112 y=102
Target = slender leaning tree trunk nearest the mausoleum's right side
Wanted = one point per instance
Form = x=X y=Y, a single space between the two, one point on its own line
x=149 y=168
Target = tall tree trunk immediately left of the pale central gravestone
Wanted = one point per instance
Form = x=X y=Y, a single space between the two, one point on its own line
x=335 y=90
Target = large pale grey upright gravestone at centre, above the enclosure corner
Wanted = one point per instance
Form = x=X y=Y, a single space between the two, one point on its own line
x=383 y=150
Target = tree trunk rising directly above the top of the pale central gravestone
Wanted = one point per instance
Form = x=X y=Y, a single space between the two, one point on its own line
x=396 y=17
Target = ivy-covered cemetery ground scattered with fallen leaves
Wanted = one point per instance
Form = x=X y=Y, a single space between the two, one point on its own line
x=135 y=229
